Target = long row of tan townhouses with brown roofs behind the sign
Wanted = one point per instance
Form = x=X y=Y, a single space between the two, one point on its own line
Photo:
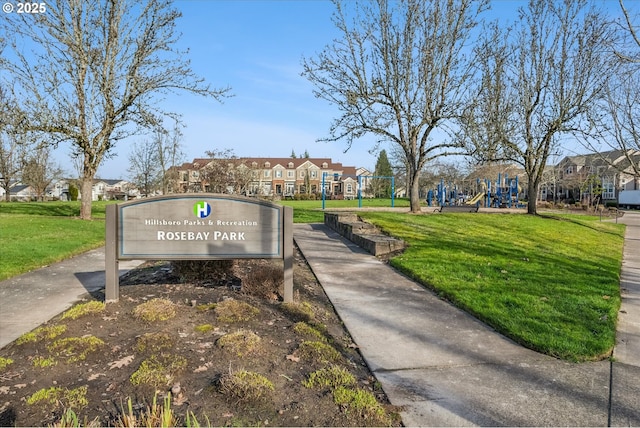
x=273 y=177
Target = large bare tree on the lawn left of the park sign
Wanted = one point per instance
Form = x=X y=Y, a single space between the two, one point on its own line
x=97 y=73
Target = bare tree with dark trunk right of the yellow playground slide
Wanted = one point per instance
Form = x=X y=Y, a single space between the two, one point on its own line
x=538 y=83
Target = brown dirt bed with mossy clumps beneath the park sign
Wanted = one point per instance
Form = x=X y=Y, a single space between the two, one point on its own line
x=198 y=366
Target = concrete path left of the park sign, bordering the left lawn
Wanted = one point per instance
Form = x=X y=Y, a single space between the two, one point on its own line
x=29 y=300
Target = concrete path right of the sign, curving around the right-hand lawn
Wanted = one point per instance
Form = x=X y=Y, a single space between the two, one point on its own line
x=448 y=369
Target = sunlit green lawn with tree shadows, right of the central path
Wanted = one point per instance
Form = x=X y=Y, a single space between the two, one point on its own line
x=551 y=284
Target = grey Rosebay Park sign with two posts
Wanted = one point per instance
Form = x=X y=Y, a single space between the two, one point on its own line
x=197 y=226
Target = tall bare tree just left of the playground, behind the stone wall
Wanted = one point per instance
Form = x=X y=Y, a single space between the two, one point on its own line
x=398 y=72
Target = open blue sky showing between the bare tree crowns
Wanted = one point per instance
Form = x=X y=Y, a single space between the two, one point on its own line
x=256 y=48
